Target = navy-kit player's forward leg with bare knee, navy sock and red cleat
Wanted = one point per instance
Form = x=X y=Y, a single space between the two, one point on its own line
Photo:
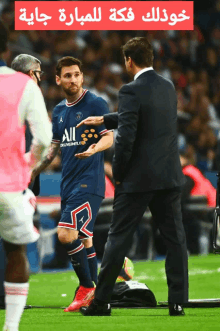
x=78 y=256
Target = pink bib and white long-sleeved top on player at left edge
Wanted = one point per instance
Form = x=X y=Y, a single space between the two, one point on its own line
x=20 y=99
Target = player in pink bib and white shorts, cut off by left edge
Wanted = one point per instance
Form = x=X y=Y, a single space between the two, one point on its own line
x=20 y=99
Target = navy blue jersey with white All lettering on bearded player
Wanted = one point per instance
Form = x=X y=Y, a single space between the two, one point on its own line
x=85 y=175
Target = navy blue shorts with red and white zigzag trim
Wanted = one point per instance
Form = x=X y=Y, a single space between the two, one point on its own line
x=79 y=213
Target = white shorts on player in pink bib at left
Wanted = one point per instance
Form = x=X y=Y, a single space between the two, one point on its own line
x=16 y=217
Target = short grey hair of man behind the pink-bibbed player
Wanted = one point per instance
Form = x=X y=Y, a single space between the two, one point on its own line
x=24 y=63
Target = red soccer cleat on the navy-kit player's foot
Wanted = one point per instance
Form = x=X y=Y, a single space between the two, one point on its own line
x=83 y=297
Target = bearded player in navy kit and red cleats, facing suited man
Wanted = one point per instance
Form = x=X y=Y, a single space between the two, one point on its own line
x=83 y=179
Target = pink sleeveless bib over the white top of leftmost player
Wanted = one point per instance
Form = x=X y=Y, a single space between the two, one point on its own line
x=14 y=171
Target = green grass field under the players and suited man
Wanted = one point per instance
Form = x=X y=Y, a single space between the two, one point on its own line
x=57 y=289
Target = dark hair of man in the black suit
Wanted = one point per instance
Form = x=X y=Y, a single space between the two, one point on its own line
x=140 y=51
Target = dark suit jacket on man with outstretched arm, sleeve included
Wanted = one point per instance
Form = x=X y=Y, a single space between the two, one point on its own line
x=146 y=153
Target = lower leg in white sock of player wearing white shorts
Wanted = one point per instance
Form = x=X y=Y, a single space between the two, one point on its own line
x=16 y=284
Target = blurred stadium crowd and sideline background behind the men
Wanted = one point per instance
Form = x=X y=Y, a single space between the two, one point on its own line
x=191 y=60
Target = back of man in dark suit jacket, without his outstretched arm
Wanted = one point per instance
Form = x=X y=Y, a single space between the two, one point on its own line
x=154 y=162
